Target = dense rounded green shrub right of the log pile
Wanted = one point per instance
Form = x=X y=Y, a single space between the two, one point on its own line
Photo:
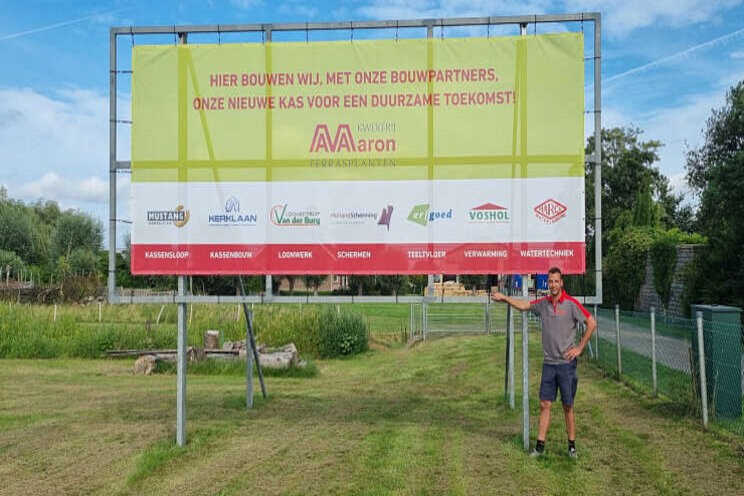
x=342 y=334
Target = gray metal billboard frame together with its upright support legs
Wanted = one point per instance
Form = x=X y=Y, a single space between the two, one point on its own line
x=182 y=298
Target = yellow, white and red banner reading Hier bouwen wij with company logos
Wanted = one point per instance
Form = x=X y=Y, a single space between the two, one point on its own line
x=365 y=157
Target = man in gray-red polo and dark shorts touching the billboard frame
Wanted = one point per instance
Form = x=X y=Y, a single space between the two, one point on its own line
x=559 y=313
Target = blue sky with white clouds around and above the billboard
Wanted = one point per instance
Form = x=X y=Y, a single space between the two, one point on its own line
x=665 y=65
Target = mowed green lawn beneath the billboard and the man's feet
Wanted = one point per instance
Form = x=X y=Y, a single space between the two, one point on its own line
x=424 y=420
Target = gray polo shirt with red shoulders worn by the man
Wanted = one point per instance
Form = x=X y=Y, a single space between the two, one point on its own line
x=559 y=324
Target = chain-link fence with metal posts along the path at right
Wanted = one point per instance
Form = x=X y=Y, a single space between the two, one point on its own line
x=663 y=354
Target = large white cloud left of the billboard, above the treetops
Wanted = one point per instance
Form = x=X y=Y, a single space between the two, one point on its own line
x=67 y=133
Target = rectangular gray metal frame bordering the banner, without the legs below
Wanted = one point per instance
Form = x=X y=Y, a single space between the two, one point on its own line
x=116 y=166
